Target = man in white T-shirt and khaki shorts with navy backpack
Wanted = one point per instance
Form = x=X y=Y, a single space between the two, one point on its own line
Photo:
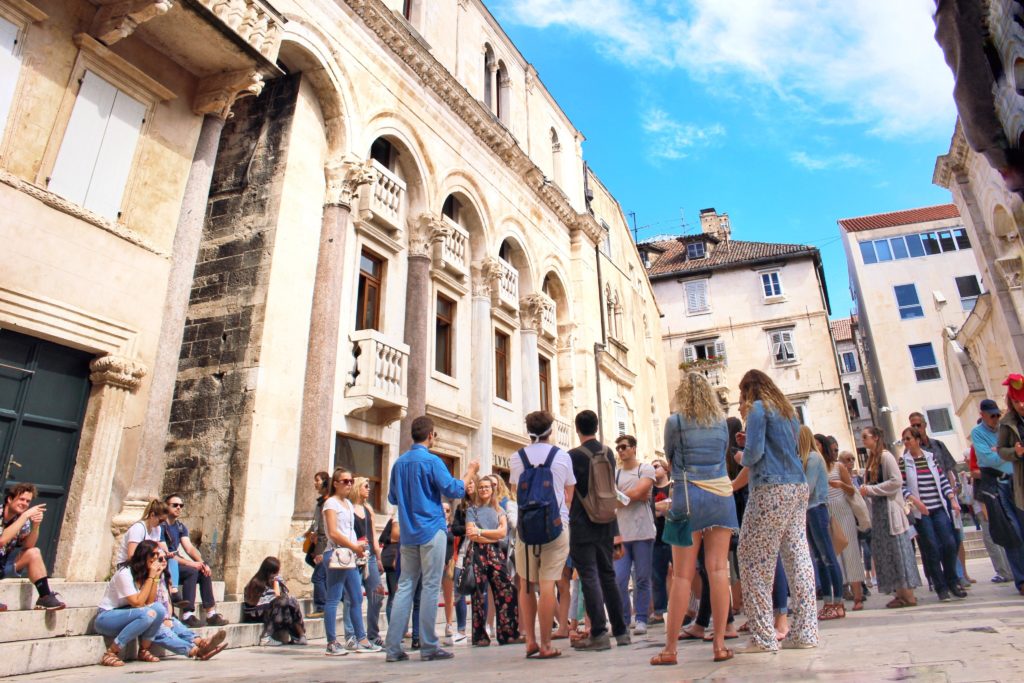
x=544 y=480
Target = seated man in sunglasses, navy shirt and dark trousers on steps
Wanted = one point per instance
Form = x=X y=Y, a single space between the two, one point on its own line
x=192 y=569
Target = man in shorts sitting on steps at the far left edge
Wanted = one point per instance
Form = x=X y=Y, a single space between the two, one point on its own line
x=19 y=532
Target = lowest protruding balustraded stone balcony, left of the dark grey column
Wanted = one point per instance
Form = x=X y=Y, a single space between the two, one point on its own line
x=379 y=387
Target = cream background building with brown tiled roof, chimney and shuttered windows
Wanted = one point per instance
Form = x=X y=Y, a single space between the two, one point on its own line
x=734 y=306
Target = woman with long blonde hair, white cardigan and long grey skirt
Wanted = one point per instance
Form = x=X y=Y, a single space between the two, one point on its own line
x=895 y=563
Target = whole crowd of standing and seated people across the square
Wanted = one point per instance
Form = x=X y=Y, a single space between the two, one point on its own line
x=756 y=515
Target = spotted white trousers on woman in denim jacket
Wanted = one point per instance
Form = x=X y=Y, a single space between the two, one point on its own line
x=777 y=522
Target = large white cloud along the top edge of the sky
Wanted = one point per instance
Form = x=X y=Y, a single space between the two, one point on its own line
x=864 y=62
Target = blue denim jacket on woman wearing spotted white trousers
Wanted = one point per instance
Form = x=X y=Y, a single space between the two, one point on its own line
x=772 y=448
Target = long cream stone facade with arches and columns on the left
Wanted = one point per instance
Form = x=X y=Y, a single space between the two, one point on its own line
x=400 y=224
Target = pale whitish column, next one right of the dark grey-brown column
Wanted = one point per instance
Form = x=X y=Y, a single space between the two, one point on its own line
x=483 y=360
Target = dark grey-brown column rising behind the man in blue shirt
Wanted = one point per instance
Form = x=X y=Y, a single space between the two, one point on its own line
x=424 y=232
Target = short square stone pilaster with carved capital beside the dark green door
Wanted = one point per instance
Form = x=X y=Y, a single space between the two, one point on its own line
x=86 y=527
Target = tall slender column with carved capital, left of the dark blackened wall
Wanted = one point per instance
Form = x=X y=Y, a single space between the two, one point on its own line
x=214 y=102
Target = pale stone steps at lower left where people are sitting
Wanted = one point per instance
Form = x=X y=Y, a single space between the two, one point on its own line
x=33 y=642
